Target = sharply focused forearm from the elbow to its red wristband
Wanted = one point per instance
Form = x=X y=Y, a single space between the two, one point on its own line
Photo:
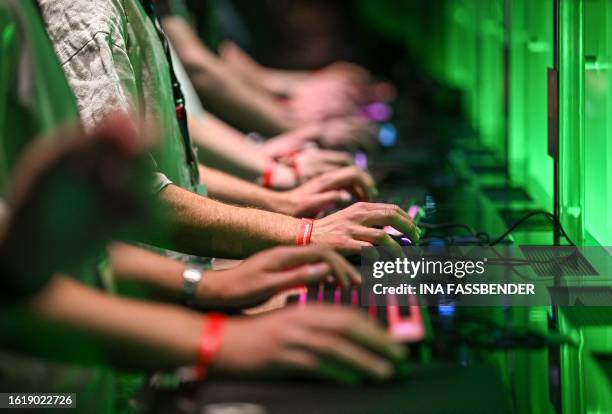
x=205 y=227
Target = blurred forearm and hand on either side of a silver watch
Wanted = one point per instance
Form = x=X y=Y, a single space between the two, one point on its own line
x=248 y=284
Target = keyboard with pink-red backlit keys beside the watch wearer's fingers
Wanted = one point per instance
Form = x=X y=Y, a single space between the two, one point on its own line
x=402 y=316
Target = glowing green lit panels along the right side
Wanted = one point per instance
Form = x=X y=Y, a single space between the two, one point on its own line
x=474 y=46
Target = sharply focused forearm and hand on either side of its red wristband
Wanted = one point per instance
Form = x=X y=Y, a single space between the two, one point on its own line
x=205 y=227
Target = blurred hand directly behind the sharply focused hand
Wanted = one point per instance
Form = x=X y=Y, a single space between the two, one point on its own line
x=335 y=188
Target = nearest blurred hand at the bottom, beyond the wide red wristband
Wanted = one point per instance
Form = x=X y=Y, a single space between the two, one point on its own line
x=324 y=341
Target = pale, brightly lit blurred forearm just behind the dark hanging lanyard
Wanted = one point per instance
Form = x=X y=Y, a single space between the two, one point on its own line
x=224 y=148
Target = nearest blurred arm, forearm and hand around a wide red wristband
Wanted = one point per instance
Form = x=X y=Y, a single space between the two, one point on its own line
x=78 y=324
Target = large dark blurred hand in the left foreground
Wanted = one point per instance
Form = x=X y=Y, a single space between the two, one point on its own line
x=73 y=194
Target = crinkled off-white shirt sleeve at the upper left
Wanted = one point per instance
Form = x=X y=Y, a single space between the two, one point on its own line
x=92 y=48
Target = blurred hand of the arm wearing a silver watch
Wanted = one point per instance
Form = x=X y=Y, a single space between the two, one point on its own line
x=261 y=276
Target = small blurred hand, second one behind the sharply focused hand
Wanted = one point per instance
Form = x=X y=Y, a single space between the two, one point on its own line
x=312 y=162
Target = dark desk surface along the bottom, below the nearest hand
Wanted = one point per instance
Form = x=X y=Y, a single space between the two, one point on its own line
x=434 y=388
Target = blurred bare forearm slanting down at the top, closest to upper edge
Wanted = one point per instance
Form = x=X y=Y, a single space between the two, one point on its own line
x=221 y=93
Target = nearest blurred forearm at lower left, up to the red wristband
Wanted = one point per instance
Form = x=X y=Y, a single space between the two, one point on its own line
x=74 y=323
